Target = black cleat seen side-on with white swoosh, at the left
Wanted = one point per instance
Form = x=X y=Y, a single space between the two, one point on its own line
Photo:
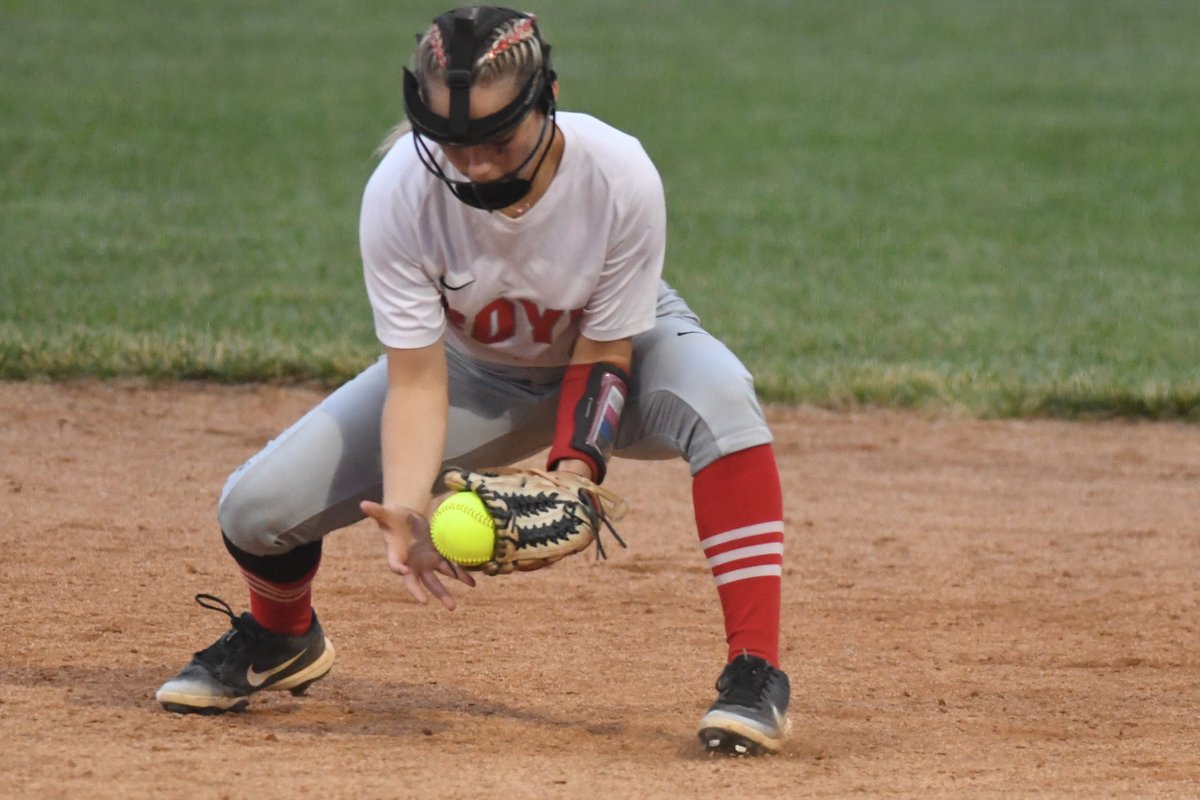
x=248 y=659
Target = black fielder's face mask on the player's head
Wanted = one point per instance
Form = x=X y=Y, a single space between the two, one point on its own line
x=467 y=31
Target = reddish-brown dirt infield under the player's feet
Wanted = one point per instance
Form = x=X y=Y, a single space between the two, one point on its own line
x=971 y=610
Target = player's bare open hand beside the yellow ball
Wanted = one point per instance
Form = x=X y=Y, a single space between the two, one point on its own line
x=411 y=555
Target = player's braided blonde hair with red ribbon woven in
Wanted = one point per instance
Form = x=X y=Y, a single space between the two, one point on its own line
x=512 y=52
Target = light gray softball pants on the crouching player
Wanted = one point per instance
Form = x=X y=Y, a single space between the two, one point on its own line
x=691 y=398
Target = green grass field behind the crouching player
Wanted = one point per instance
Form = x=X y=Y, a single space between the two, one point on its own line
x=965 y=206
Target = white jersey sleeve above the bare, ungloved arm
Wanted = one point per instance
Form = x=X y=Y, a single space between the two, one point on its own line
x=405 y=300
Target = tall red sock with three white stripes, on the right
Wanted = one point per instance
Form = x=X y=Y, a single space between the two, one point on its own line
x=740 y=515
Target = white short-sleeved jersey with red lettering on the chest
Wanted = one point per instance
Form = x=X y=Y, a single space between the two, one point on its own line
x=585 y=260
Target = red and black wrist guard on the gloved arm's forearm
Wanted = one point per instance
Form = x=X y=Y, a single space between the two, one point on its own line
x=593 y=396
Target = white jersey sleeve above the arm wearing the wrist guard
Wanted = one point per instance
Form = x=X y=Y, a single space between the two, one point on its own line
x=626 y=297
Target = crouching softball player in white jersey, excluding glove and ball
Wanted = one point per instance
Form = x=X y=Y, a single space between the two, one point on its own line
x=513 y=257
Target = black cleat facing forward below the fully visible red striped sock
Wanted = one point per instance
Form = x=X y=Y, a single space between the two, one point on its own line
x=751 y=714
